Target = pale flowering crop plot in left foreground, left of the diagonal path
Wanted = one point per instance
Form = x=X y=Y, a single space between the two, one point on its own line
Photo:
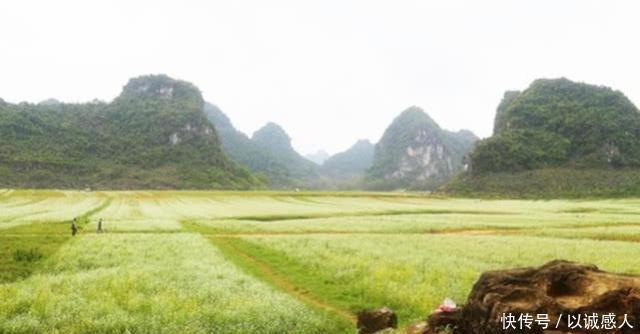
x=144 y=283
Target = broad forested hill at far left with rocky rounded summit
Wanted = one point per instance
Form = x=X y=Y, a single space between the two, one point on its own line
x=154 y=135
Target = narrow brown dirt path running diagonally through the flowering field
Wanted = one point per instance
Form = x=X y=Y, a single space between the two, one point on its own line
x=283 y=283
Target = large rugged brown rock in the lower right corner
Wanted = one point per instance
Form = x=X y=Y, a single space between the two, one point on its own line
x=563 y=295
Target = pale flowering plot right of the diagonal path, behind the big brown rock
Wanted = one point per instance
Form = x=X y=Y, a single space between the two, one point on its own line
x=412 y=274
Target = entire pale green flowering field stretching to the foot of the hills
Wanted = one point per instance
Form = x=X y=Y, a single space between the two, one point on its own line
x=270 y=262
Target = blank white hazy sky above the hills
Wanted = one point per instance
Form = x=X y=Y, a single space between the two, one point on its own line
x=330 y=72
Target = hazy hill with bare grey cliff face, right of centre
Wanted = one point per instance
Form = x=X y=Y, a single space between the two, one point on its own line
x=415 y=153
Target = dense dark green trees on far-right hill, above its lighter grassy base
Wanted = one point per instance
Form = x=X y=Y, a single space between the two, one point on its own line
x=559 y=122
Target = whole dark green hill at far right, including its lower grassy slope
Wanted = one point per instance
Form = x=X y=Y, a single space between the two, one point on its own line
x=559 y=137
